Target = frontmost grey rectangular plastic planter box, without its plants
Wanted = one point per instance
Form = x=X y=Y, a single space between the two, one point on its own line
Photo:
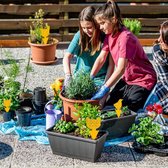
x=76 y=147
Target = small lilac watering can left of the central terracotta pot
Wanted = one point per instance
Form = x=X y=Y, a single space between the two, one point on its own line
x=52 y=114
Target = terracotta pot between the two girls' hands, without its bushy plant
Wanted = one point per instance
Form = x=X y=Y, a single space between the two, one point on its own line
x=68 y=106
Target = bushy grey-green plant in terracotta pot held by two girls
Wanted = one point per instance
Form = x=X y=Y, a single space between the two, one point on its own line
x=80 y=89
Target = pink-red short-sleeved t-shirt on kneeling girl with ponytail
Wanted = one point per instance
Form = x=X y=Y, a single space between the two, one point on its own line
x=139 y=70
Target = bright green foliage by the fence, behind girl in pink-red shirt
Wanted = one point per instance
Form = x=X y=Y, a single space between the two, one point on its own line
x=133 y=25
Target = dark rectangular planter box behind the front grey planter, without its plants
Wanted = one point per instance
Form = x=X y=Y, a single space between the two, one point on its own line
x=118 y=127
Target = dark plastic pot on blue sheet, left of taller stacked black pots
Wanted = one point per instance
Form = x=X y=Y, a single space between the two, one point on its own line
x=24 y=116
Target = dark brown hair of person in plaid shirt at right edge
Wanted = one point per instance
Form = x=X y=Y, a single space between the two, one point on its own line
x=164 y=32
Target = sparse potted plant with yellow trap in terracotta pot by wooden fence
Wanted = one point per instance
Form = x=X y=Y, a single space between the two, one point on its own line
x=42 y=45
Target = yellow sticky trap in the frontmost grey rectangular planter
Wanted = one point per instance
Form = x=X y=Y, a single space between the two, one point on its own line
x=93 y=124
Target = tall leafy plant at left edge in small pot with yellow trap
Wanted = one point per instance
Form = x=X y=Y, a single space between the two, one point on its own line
x=10 y=88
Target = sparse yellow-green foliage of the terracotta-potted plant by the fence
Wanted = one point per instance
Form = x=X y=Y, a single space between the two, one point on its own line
x=37 y=25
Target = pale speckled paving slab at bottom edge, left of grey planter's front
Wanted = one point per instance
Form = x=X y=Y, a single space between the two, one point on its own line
x=29 y=154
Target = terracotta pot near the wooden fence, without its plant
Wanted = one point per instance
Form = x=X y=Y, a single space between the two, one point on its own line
x=43 y=53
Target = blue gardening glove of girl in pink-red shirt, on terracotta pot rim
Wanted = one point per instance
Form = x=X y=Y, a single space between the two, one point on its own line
x=101 y=92
